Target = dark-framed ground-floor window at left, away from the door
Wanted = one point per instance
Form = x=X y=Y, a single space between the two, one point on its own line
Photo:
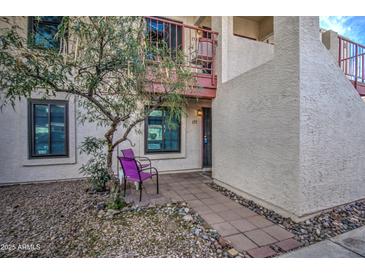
x=48 y=128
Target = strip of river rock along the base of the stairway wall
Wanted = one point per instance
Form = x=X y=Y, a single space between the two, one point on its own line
x=325 y=225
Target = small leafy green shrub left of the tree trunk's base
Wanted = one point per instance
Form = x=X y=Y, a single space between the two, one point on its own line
x=95 y=168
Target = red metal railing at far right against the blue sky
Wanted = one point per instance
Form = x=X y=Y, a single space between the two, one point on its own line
x=351 y=58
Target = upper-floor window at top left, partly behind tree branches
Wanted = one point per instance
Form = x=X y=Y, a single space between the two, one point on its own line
x=42 y=31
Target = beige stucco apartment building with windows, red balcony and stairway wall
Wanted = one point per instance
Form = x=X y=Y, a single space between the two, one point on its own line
x=277 y=115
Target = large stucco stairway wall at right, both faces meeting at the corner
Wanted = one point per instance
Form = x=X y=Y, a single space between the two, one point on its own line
x=289 y=133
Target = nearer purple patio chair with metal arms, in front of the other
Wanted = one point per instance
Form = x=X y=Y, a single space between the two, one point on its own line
x=132 y=171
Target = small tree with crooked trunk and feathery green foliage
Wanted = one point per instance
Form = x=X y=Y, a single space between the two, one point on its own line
x=117 y=75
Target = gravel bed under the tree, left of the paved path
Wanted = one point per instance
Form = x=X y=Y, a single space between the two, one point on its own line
x=64 y=219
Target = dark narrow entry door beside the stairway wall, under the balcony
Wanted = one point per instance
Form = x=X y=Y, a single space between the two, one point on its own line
x=207 y=137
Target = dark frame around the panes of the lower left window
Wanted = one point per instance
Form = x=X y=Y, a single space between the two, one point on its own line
x=31 y=133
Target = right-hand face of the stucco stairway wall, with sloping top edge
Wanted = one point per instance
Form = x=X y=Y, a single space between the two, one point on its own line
x=332 y=128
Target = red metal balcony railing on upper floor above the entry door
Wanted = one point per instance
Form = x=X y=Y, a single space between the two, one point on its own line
x=198 y=46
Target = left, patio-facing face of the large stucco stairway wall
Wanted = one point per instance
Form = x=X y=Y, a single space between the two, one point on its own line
x=256 y=127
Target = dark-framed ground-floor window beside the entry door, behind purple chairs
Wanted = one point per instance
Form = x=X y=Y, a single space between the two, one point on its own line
x=161 y=134
